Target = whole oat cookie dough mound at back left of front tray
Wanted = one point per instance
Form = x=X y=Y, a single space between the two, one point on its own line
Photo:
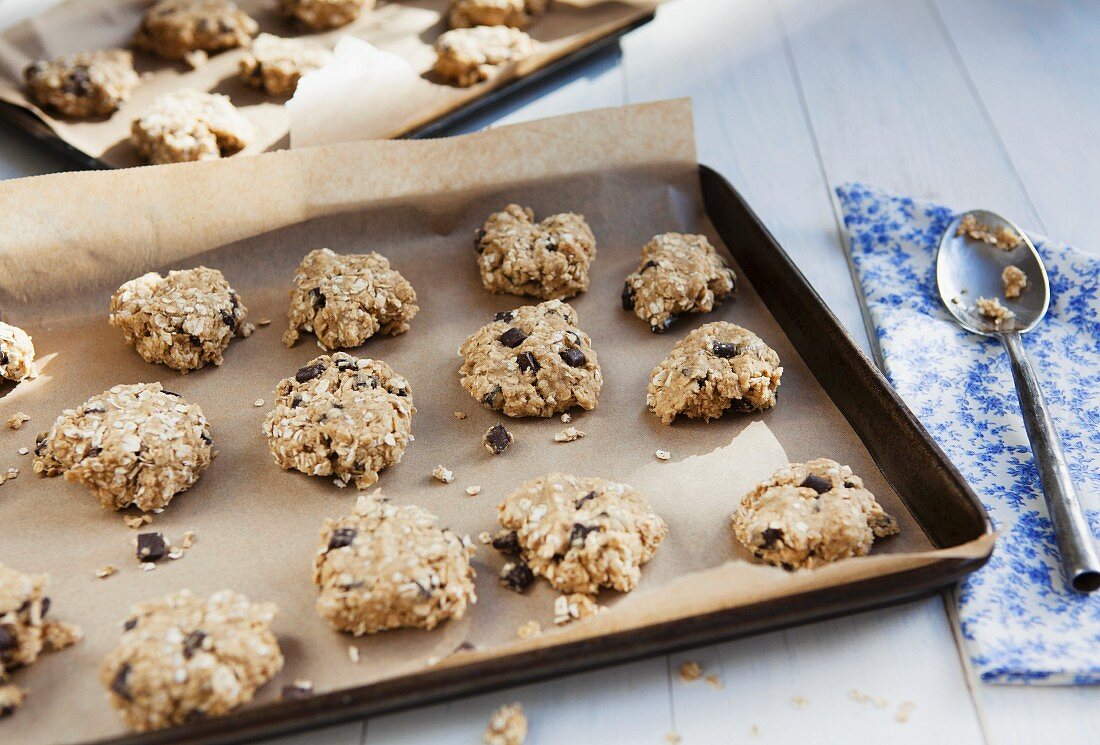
x=184 y=321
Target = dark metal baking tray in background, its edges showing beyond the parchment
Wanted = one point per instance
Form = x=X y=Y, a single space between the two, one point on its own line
x=445 y=125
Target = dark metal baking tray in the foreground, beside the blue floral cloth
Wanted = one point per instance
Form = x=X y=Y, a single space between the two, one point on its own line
x=932 y=489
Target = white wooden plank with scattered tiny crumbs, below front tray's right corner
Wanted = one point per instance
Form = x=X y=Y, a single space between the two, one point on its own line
x=881 y=677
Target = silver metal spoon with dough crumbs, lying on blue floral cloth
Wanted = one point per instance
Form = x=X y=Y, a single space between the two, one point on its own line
x=969 y=269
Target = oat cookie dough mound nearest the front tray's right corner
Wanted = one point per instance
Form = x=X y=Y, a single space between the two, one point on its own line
x=810 y=514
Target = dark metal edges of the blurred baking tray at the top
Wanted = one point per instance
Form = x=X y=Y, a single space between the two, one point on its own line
x=492 y=96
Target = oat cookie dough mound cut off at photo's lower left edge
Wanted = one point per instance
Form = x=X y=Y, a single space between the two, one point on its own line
x=25 y=632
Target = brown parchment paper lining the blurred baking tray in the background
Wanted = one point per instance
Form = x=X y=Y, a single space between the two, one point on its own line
x=406 y=29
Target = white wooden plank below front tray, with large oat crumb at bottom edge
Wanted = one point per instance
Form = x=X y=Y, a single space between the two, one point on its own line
x=629 y=704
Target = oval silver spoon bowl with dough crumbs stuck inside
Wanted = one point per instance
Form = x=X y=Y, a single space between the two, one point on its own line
x=969 y=269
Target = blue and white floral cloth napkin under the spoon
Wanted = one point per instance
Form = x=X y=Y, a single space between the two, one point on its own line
x=1022 y=623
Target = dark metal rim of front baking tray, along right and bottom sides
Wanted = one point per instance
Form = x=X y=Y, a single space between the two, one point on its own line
x=441 y=685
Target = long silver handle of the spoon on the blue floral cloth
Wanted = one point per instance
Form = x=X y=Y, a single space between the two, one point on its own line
x=1080 y=558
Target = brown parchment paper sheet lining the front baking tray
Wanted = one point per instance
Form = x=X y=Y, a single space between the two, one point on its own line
x=68 y=240
